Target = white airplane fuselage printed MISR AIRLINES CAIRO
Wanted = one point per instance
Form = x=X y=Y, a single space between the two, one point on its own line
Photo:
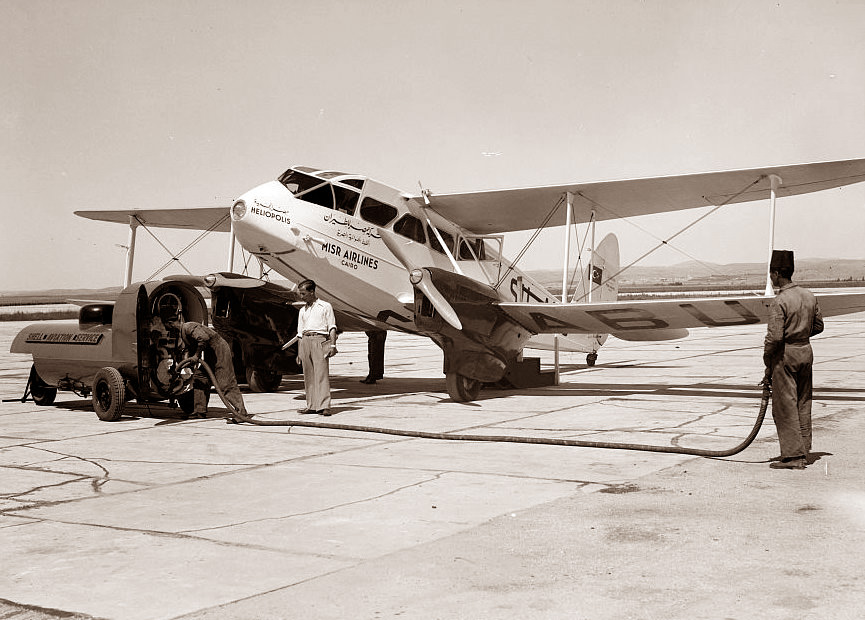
x=299 y=235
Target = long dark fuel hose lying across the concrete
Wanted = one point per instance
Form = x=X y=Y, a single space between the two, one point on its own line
x=241 y=416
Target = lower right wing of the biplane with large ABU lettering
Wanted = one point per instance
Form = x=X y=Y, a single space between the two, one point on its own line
x=636 y=320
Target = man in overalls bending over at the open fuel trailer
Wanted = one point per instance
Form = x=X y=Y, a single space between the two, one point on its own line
x=200 y=340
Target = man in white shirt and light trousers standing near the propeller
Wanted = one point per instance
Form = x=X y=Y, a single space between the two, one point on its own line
x=316 y=331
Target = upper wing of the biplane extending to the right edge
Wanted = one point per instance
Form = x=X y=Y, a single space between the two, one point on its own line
x=498 y=211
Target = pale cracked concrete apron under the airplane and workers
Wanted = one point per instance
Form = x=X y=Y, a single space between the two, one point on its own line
x=154 y=517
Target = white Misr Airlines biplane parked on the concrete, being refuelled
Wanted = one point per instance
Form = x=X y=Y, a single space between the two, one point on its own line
x=433 y=264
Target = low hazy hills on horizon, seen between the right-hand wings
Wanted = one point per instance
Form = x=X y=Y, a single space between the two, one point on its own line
x=693 y=273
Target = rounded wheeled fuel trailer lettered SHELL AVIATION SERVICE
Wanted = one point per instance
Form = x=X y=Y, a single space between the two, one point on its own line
x=116 y=352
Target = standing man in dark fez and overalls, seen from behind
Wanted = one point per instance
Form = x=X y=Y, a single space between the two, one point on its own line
x=794 y=317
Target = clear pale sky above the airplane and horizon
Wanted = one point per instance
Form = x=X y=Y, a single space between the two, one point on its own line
x=175 y=103
